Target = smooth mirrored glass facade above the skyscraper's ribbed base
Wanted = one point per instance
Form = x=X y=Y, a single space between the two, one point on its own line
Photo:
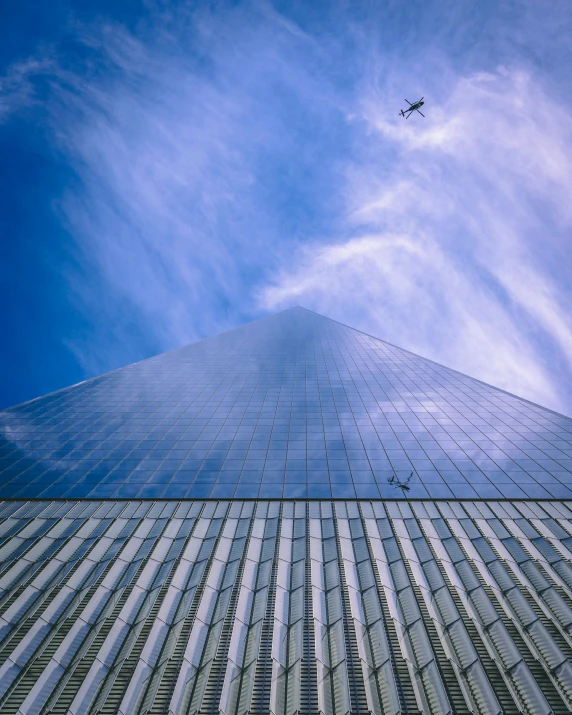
x=291 y=406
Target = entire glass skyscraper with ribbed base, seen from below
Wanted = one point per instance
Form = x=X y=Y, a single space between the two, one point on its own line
x=291 y=517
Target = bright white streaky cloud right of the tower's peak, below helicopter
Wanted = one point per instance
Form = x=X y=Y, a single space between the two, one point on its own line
x=456 y=244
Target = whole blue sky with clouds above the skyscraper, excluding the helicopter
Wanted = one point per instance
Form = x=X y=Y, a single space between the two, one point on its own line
x=171 y=170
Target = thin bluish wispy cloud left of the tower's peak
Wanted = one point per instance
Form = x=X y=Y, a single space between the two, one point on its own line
x=180 y=141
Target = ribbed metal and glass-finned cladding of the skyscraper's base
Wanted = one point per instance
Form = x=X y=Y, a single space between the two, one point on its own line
x=289 y=607
